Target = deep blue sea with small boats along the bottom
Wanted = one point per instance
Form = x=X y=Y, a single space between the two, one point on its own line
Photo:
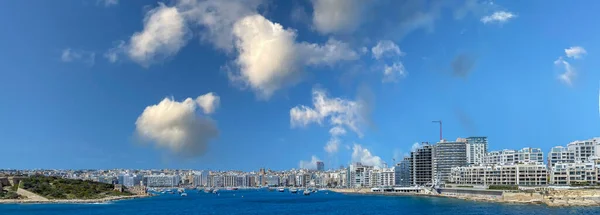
x=261 y=201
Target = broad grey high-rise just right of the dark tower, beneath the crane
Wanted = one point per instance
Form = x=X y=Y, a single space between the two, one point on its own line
x=446 y=155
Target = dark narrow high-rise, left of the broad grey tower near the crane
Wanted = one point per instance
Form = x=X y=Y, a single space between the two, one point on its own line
x=421 y=165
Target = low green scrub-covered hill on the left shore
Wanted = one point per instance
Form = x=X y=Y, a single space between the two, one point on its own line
x=62 y=188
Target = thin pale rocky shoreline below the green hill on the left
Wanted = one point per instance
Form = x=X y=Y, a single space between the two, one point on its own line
x=71 y=201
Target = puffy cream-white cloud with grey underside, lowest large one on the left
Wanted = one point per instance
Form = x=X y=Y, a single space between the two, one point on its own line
x=177 y=127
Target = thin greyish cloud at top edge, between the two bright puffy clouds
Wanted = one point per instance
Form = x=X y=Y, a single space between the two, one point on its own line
x=217 y=17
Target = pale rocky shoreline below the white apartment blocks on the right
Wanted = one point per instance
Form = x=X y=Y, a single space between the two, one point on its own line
x=568 y=198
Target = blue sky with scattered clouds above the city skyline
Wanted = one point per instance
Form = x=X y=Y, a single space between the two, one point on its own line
x=103 y=84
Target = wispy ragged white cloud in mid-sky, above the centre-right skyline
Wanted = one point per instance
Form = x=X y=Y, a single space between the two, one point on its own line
x=339 y=112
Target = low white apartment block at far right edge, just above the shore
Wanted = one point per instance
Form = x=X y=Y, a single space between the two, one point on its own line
x=574 y=174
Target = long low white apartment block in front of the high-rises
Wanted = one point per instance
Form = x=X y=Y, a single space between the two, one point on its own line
x=524 y=174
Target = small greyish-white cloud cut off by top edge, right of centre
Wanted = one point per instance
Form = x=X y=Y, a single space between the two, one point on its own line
x=337 y=16
